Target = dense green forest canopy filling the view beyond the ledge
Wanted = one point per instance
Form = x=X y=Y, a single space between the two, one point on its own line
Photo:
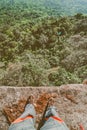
x=39 y=46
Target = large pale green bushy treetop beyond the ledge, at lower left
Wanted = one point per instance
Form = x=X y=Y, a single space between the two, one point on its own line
x=29 y=72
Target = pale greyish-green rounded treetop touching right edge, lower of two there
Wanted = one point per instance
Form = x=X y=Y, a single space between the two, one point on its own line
x=75 y=60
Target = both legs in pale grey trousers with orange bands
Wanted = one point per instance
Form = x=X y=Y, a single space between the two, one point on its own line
x=27 y=120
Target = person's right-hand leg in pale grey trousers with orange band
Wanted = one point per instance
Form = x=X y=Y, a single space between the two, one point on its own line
x=52 y=120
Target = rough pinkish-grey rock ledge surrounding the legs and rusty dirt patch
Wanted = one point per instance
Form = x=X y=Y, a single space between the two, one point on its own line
x=71 y=102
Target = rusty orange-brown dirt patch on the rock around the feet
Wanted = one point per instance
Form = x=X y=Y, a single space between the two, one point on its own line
x=13 y=111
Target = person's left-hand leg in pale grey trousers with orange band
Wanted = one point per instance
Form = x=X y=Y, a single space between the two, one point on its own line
x=26 y=121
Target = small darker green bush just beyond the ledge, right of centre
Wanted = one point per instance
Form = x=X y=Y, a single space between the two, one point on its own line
x=63 y=77
